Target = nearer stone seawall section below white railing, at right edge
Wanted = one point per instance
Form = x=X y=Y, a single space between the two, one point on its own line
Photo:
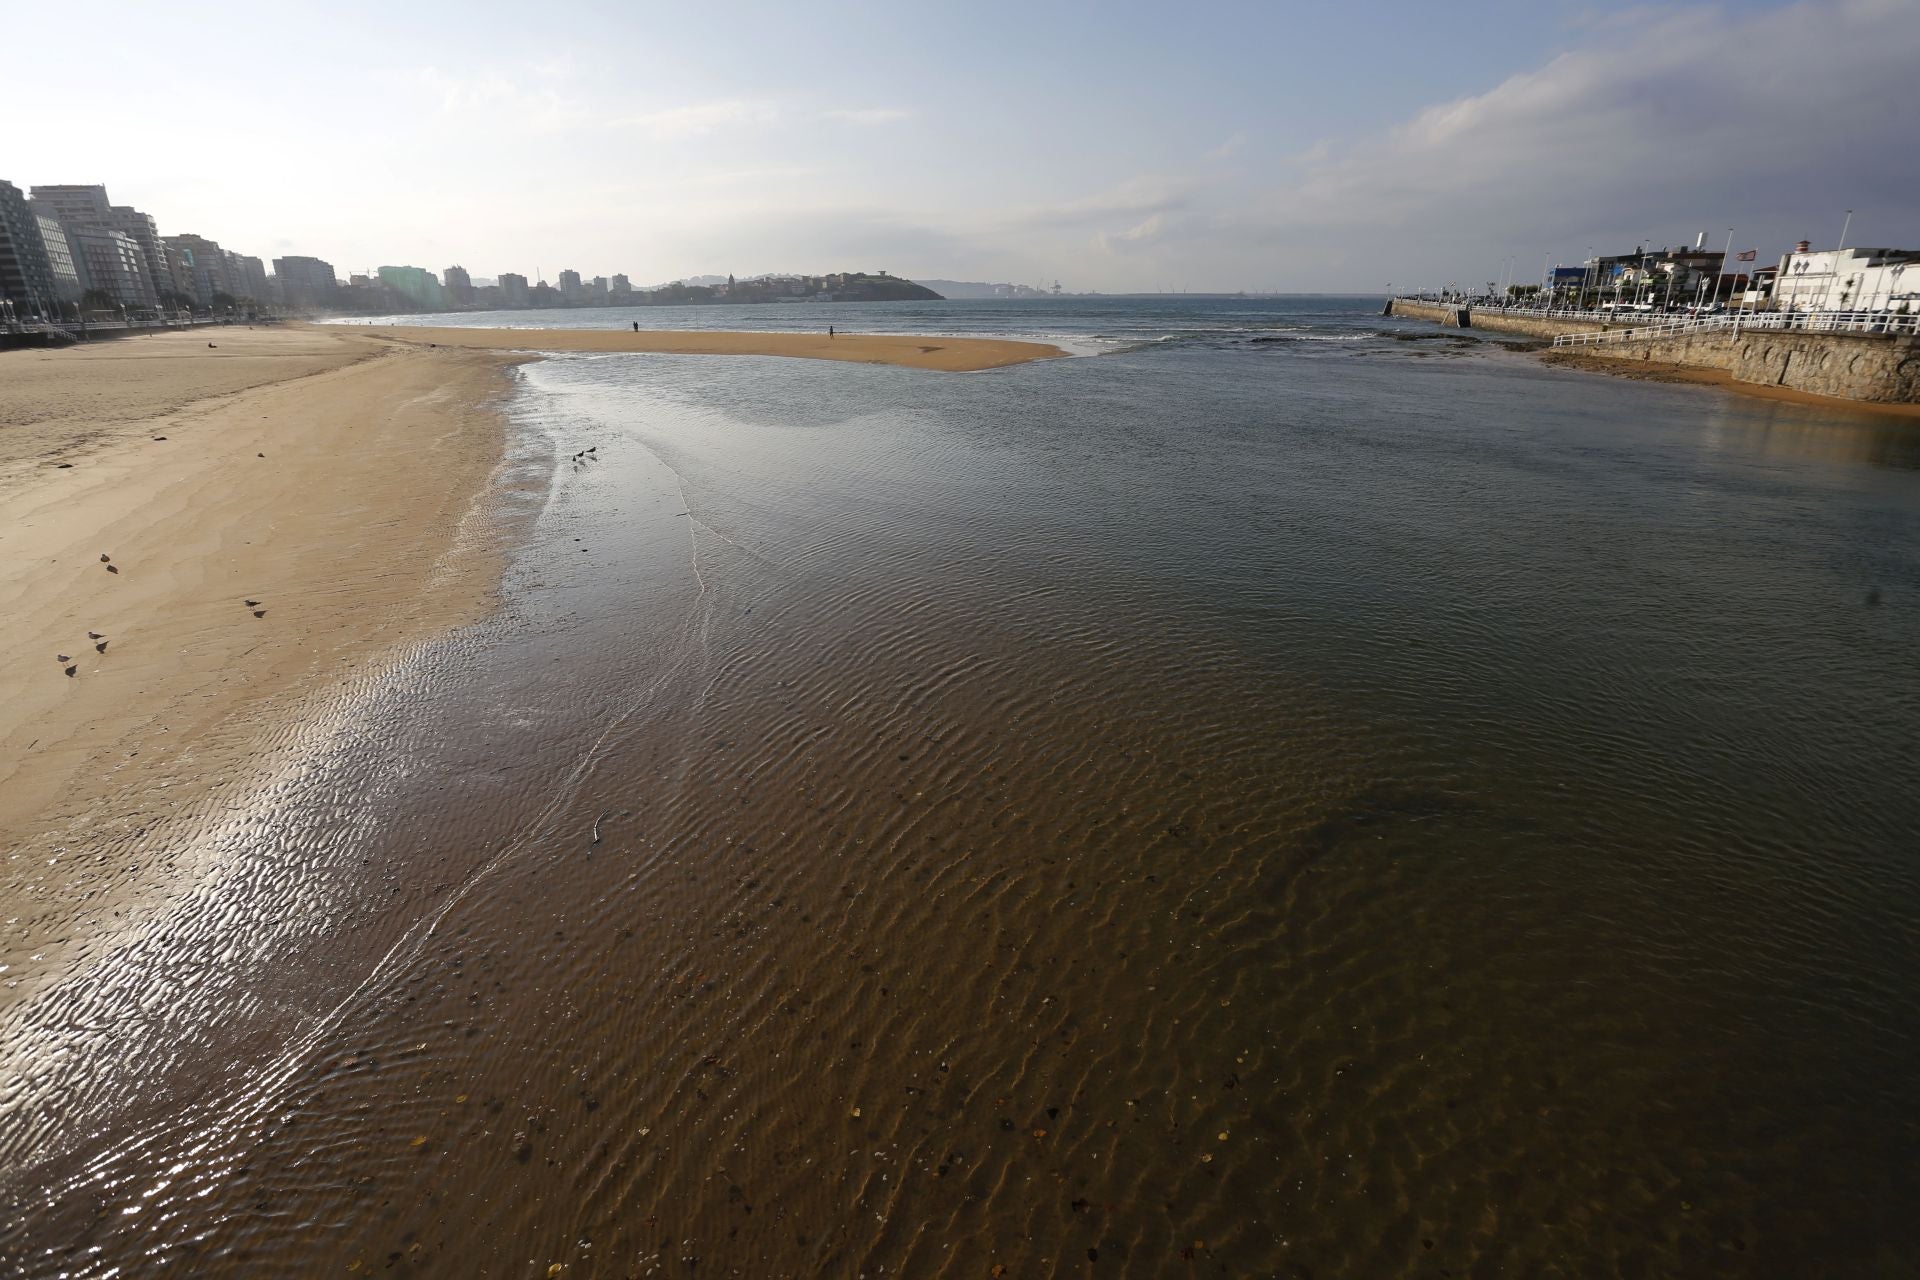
x=1867 y=367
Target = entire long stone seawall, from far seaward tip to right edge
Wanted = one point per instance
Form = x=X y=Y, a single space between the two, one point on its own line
x=1867 y=367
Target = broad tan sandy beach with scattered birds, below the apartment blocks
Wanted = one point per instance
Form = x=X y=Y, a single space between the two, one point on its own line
x=153 y=488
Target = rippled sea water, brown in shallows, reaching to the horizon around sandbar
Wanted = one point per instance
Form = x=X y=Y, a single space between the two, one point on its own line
x=1287 y=795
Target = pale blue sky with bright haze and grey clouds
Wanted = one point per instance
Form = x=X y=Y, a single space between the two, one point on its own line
x=1107 y=145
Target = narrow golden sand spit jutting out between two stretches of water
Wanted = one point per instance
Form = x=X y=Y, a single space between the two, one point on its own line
x=909 y=350
